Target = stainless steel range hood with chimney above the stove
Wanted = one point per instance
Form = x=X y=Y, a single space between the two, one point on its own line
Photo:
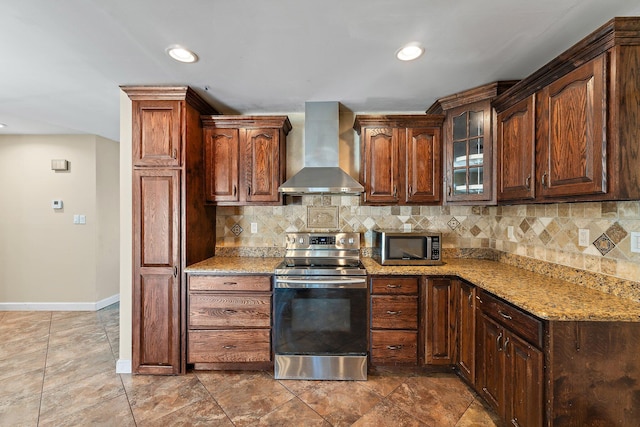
x=321 y=173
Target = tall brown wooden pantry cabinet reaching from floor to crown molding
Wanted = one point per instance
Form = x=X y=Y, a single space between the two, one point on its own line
x=172 y=225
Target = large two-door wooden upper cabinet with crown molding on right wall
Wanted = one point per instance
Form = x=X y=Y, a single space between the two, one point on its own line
x=586 y=120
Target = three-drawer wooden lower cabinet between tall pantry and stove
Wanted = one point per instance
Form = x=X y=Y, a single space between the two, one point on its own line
x=229 y=322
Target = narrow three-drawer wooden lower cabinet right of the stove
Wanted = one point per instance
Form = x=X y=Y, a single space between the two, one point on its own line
x=394 y=338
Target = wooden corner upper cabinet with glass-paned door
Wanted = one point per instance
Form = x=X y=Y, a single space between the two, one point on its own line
x=469 y=174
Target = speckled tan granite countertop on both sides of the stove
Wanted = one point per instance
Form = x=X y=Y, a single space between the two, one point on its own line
x=545 y=297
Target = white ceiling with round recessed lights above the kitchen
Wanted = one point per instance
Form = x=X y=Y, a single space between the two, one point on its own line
x=64 y=60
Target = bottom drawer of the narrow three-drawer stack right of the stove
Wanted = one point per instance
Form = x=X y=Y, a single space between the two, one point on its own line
x=391 y=347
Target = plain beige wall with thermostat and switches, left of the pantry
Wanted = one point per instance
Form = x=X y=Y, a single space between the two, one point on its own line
x=45 y=259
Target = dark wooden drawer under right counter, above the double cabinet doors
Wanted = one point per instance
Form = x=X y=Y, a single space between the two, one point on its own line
x=526 y=326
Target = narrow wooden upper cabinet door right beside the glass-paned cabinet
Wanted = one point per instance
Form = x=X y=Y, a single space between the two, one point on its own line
x=516 y=151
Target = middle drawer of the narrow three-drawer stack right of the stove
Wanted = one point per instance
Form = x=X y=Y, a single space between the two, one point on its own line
x=394 y=312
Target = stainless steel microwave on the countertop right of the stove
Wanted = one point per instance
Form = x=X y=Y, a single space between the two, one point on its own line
x=393 y=247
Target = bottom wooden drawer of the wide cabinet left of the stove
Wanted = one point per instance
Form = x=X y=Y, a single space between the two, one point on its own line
x=251 y=345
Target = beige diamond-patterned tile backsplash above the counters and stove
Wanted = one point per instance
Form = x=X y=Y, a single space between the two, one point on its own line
x=541 y=232
